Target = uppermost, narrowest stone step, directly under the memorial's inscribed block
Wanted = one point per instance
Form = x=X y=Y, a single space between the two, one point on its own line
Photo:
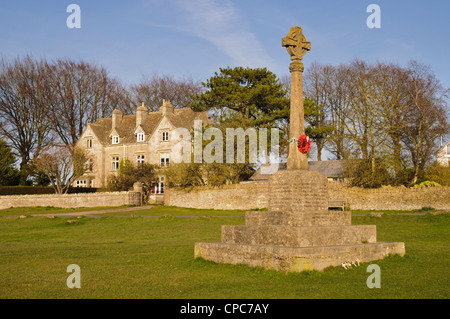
x=310 y=218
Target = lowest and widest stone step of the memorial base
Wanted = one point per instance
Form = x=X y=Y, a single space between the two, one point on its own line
x=295 y=259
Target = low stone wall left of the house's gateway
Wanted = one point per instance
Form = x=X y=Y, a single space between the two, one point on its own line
x=72 y=200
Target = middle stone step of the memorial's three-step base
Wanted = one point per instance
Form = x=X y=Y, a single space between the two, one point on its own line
x=304 y=236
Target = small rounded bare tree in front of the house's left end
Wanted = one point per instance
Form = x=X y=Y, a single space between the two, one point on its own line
x=62 y=165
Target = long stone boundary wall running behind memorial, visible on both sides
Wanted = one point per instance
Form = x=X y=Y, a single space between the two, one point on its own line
x=256 y=195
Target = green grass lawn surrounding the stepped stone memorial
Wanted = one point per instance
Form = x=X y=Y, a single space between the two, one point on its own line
x=153 y=258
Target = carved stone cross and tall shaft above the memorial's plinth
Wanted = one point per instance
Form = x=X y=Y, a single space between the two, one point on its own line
x=297 y=46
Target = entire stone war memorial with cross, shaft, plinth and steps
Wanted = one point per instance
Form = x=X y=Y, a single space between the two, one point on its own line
x=297 y=232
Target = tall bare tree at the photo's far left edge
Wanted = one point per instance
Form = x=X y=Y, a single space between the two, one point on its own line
x=25 y=94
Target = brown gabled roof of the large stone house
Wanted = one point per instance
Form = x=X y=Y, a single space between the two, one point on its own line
x=126 y=129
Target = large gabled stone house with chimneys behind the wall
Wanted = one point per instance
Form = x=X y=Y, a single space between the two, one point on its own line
x=143 y=137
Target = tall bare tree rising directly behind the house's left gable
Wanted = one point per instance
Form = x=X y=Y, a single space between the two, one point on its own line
x=82 y=94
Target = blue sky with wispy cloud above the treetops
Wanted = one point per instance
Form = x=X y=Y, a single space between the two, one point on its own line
x=195 y=38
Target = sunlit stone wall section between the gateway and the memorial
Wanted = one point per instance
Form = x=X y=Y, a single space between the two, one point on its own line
x=238 y=196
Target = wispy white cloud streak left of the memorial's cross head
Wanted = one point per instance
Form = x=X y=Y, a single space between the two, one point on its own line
x=220 y=23
